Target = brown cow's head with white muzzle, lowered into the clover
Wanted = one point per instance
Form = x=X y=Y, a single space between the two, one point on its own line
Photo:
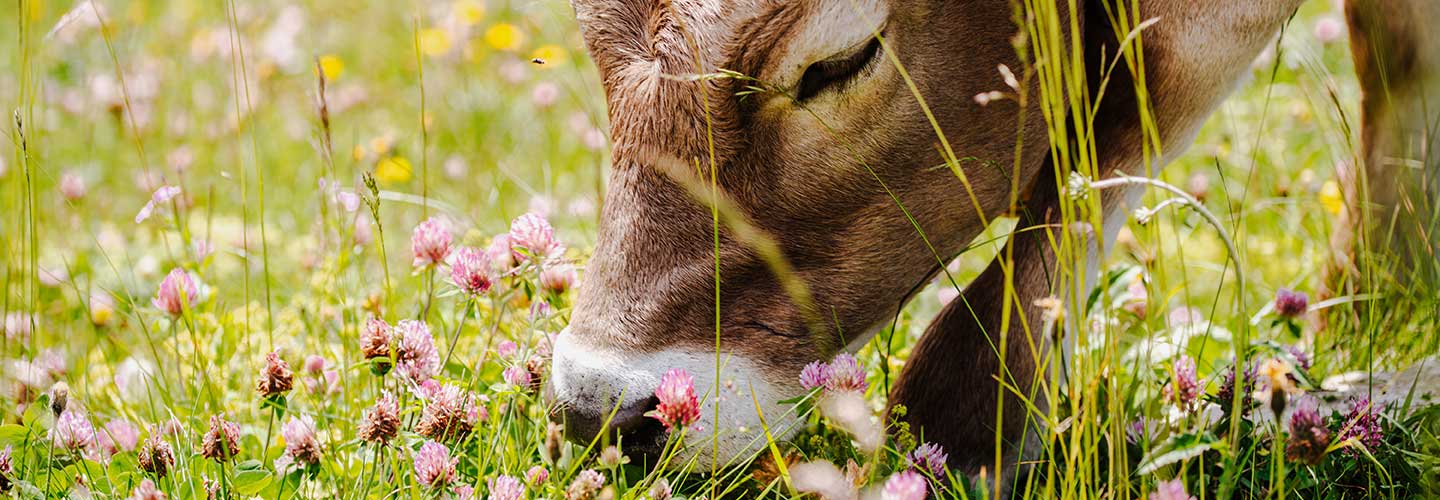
x=817 y=166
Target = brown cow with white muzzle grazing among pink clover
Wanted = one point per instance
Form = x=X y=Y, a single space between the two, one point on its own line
x=791 y=149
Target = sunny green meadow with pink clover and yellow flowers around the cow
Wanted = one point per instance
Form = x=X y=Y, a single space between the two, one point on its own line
x=322 y=250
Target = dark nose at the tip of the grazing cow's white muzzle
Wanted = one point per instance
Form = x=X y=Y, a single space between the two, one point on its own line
x=639 y=433
